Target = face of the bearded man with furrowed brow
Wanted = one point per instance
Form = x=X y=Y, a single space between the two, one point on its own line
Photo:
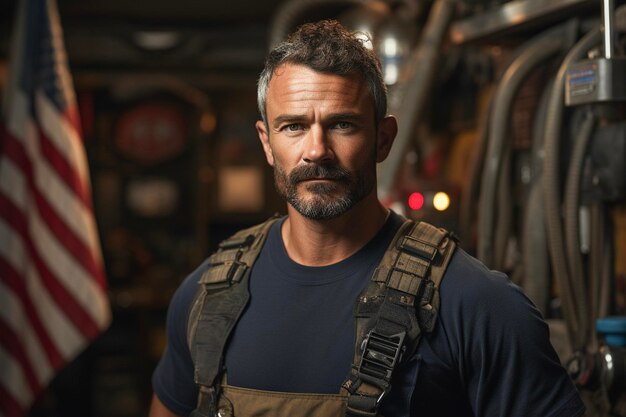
x=321 y=140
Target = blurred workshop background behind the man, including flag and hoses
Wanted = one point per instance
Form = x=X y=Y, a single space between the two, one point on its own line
x=512 y=135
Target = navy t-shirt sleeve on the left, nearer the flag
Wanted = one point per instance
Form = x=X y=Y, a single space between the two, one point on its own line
x=172 y=380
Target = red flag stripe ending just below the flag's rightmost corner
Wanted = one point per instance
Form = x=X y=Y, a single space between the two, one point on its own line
x=65 y=300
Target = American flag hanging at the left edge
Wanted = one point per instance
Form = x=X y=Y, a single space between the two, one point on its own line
x=53 y=298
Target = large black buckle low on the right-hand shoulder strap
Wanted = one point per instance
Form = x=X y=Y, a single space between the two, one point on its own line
x=381 y=354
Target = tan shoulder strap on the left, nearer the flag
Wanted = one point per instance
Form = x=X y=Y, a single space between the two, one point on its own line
x=221 y=298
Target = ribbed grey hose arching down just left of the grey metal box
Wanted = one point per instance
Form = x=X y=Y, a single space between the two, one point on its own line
x=571 y=291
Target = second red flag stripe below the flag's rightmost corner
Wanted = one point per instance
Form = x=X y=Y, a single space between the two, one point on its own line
x=15 y=282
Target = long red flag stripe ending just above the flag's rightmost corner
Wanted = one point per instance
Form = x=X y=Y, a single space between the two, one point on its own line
x=75 y=246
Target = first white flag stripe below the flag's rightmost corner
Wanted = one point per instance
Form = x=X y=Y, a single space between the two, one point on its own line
x=59 y=328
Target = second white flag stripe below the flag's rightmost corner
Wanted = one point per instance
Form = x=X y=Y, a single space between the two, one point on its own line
x=12 y=312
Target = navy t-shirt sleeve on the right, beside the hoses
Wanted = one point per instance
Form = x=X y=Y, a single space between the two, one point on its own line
x=505 y=360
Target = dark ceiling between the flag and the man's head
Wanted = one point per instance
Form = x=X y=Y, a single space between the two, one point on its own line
x=219 y=43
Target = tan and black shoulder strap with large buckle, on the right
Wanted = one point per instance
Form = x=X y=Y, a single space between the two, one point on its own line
x=400 y=302
